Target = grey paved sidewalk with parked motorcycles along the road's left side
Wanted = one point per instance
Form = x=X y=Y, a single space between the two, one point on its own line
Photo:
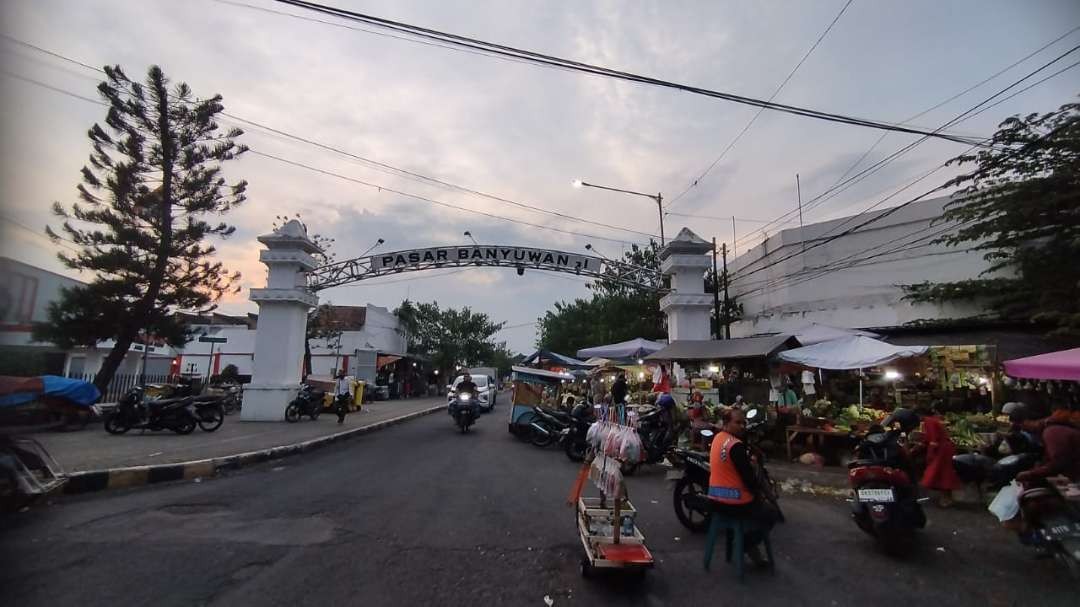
x=94 y=449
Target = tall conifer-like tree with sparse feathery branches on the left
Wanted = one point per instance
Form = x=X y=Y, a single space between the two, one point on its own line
x=155 y=177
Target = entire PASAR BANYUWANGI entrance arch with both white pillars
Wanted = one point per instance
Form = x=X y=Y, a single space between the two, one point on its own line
x=295 y=278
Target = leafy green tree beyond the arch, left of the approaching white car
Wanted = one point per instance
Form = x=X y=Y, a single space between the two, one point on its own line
x=450 y=338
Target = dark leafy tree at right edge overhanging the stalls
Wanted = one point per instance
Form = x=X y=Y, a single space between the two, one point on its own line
x=1021 y=206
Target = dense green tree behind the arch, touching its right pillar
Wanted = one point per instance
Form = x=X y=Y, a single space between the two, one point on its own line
x=615 y=313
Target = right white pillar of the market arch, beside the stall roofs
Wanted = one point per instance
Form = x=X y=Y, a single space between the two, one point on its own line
x=688 y=307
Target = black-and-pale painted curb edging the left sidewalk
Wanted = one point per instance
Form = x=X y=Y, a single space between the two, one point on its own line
x=132 y=477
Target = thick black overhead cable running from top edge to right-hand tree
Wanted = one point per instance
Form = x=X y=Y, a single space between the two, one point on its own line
x=541 y=59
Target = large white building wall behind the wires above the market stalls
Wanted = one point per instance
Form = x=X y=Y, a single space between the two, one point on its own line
x=789 y=295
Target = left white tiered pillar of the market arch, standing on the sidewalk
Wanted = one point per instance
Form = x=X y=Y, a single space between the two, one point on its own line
x=283 y=322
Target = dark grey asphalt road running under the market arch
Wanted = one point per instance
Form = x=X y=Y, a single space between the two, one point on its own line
x=420 y=515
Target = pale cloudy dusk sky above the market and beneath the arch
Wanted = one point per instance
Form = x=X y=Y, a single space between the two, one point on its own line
x=518 y=131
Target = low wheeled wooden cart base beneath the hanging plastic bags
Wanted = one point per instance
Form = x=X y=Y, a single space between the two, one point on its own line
x=606 y=546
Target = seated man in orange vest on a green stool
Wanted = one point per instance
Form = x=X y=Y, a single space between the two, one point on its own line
x=733 y=481
